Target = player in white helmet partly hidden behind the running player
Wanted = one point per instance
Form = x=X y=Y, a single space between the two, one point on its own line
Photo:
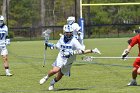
x=77 y=29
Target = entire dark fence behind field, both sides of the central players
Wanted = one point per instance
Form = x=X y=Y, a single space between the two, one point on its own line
x=109 y=31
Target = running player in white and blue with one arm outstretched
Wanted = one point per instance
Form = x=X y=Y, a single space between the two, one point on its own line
x=68 y=46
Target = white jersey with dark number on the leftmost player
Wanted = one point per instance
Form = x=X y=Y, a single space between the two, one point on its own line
x=3 y=34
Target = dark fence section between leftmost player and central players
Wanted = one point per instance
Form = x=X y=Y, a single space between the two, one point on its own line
x=30 y=33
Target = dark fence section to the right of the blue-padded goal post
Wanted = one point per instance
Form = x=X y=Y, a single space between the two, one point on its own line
x=110 y=30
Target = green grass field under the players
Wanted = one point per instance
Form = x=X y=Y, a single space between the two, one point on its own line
x=98 y=76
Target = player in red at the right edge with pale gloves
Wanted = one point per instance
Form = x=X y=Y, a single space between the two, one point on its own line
x=136 y=65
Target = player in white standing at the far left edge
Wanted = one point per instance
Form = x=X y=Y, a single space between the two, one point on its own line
x=3 y=43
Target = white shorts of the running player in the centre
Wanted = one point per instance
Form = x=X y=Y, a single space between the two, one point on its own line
x=64 y=64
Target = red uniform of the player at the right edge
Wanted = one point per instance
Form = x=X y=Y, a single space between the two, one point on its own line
x=133 y=41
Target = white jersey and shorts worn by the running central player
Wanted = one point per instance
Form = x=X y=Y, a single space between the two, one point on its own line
x=61 y=60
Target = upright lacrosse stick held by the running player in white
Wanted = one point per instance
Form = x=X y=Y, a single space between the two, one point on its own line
x=46 y=35
